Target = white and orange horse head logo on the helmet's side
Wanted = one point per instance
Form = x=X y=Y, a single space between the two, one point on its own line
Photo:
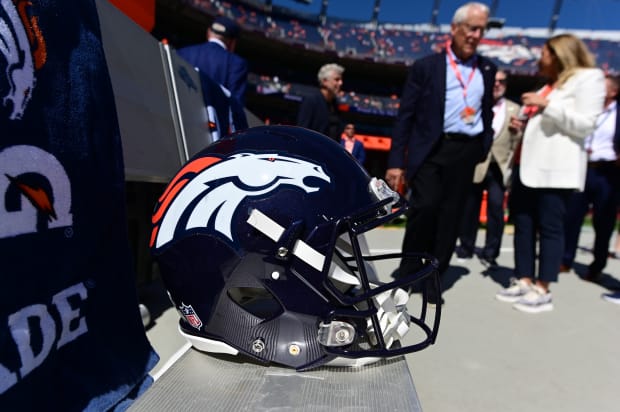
x=242 y=175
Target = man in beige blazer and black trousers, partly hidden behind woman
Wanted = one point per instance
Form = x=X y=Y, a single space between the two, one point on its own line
x=491 y=175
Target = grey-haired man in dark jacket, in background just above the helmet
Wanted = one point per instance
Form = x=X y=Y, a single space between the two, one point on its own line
x=319 y=110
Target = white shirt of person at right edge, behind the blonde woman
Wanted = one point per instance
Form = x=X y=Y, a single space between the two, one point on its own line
x=600 y=144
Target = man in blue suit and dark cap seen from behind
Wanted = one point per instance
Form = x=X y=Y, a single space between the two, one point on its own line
x=216 y=57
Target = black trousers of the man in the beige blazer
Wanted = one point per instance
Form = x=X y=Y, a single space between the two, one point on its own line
x=494 y=184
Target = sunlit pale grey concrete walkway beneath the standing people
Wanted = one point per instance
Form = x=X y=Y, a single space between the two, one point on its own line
x=490 y=357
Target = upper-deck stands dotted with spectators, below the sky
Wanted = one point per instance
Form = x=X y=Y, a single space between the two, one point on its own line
x=512 y=49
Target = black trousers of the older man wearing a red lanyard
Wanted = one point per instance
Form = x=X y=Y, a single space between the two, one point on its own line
x=438 y=192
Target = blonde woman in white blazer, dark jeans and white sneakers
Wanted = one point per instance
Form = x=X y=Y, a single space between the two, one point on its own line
x=550 y=164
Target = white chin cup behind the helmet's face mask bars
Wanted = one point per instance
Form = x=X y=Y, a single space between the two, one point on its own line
x=393 y=317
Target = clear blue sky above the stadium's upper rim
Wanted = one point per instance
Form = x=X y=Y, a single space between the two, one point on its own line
x=574 y=14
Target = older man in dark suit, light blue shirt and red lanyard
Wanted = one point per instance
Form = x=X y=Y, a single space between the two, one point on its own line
x=443 y=129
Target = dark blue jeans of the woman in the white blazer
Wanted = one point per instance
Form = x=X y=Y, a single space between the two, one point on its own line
x=538 y=213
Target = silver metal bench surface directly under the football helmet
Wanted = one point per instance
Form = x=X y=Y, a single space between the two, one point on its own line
x=202 y=382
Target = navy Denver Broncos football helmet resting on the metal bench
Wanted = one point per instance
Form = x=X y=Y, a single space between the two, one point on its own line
x=261 y=247
